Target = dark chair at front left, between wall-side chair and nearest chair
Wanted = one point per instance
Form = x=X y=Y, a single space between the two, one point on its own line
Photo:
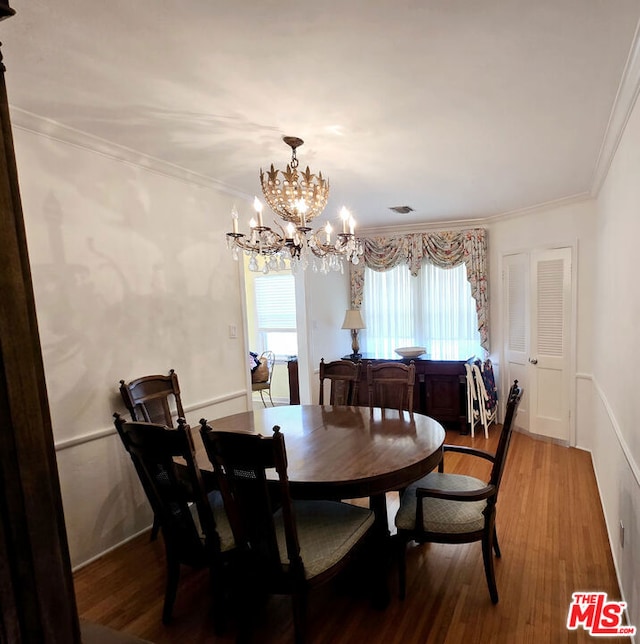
x=194 y=525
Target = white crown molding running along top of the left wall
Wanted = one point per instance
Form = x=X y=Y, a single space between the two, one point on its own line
x=41 y=126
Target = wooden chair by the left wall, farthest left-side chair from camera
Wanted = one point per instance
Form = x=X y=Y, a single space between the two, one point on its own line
x=153 y=399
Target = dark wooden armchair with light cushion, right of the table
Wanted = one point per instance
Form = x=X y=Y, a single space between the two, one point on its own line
x=454 y=508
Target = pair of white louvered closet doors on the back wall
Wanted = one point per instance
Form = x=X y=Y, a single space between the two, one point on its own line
x=538 y=323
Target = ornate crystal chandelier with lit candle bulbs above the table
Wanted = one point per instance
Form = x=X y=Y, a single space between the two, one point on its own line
x=297 y=198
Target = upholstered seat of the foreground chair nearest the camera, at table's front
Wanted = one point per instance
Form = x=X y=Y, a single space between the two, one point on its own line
x=327 y=530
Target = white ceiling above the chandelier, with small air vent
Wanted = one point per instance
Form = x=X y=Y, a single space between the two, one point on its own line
x=461 y=109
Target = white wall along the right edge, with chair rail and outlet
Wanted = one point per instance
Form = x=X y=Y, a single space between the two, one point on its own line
x=615 y=438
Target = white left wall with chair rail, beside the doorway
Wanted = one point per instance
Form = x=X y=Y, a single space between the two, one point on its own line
x=131 y=277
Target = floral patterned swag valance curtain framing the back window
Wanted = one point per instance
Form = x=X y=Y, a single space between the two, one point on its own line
x=444 y=249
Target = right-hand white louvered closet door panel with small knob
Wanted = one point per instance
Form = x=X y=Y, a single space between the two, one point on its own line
x=550 y=348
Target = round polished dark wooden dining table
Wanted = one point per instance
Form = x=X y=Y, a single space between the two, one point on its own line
x=345 y=452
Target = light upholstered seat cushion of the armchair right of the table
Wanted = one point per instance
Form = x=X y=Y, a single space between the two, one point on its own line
x=442 y=515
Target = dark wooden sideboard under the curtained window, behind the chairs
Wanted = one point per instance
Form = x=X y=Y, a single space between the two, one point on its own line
x=440 y=390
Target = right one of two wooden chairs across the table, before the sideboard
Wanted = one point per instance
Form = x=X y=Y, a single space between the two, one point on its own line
x=391 y=385
